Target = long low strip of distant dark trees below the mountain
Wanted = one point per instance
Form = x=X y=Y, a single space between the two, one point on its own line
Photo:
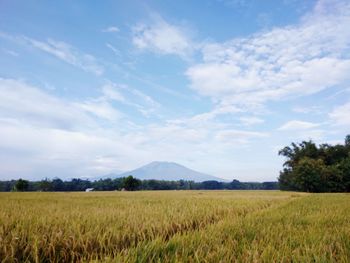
x=129 y=183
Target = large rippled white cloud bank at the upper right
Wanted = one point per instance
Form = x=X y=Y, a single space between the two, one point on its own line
x=281 y=63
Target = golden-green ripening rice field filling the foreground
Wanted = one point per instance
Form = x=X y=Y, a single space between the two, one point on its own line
x=175 y=226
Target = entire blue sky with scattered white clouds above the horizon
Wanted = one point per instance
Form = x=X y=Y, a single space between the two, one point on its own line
x=89 y=88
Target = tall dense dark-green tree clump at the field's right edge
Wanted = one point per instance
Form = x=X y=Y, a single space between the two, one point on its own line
x=316 y=168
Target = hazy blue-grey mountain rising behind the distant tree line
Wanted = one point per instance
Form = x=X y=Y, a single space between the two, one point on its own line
x=168 y=171
